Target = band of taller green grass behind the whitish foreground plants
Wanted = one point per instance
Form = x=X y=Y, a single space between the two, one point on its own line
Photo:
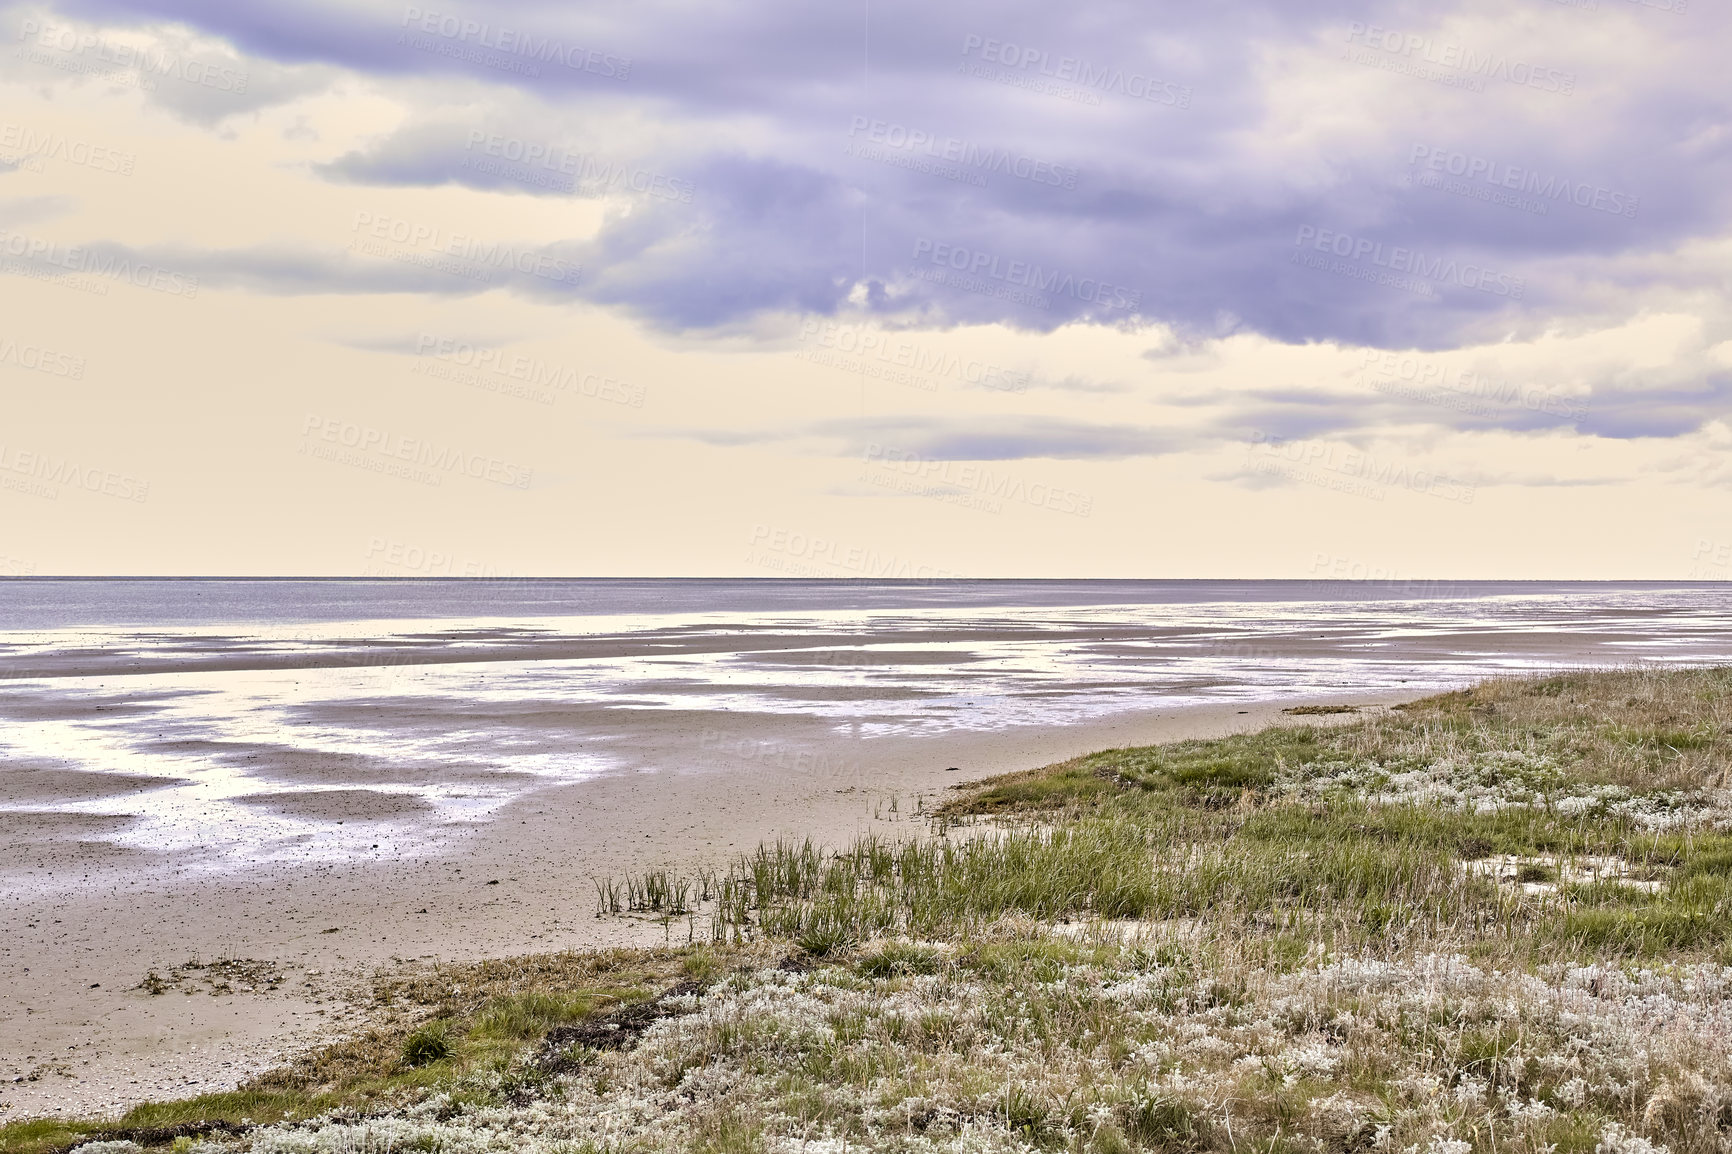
x=1234 y=833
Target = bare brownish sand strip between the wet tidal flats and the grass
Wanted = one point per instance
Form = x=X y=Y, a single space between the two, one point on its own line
x=82 y=924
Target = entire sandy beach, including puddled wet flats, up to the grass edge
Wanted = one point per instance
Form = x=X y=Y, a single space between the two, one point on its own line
x=306 y=801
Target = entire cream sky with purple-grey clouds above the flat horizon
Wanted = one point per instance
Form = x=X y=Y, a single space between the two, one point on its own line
x=869 y=288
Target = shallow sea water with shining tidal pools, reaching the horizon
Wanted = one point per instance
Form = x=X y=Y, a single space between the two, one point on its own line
x=252 y=713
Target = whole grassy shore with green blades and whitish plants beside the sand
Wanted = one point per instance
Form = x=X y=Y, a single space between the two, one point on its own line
x=1489 y=921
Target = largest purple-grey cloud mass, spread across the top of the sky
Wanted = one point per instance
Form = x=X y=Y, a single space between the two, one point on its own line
x=1238 y=167
